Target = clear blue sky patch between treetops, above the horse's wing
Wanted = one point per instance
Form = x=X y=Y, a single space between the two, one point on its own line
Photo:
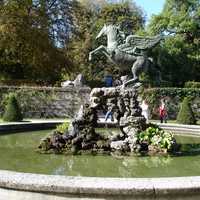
x=150 y=6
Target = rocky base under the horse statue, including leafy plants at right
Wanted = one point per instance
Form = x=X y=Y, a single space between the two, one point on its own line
x=120 y=104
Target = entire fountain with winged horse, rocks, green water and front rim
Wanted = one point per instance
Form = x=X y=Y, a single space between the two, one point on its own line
x=135 y=136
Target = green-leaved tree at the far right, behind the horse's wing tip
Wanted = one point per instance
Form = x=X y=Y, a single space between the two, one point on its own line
x=179 y=55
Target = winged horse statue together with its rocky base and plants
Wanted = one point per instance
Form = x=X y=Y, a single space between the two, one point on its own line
x=121 y=102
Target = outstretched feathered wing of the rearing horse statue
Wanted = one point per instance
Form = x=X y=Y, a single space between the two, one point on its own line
x=143 y=43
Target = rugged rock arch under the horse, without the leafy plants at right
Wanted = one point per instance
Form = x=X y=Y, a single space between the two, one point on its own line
x=81 y=134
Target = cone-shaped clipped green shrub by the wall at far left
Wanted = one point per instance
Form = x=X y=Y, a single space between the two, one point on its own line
x=12 y=110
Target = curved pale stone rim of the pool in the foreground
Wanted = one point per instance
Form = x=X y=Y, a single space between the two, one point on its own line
x=99 y=186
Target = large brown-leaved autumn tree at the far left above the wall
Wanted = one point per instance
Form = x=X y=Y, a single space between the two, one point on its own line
x=31 y=34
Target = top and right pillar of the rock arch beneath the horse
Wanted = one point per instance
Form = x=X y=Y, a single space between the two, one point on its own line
x=123 y=105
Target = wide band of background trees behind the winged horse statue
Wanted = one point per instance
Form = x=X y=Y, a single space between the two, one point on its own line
x=47 y=41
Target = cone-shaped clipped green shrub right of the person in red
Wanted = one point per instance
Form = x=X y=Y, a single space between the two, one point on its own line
x=186 y=115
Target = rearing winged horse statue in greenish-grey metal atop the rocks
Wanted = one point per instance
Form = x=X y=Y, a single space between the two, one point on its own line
x=130 y=51
